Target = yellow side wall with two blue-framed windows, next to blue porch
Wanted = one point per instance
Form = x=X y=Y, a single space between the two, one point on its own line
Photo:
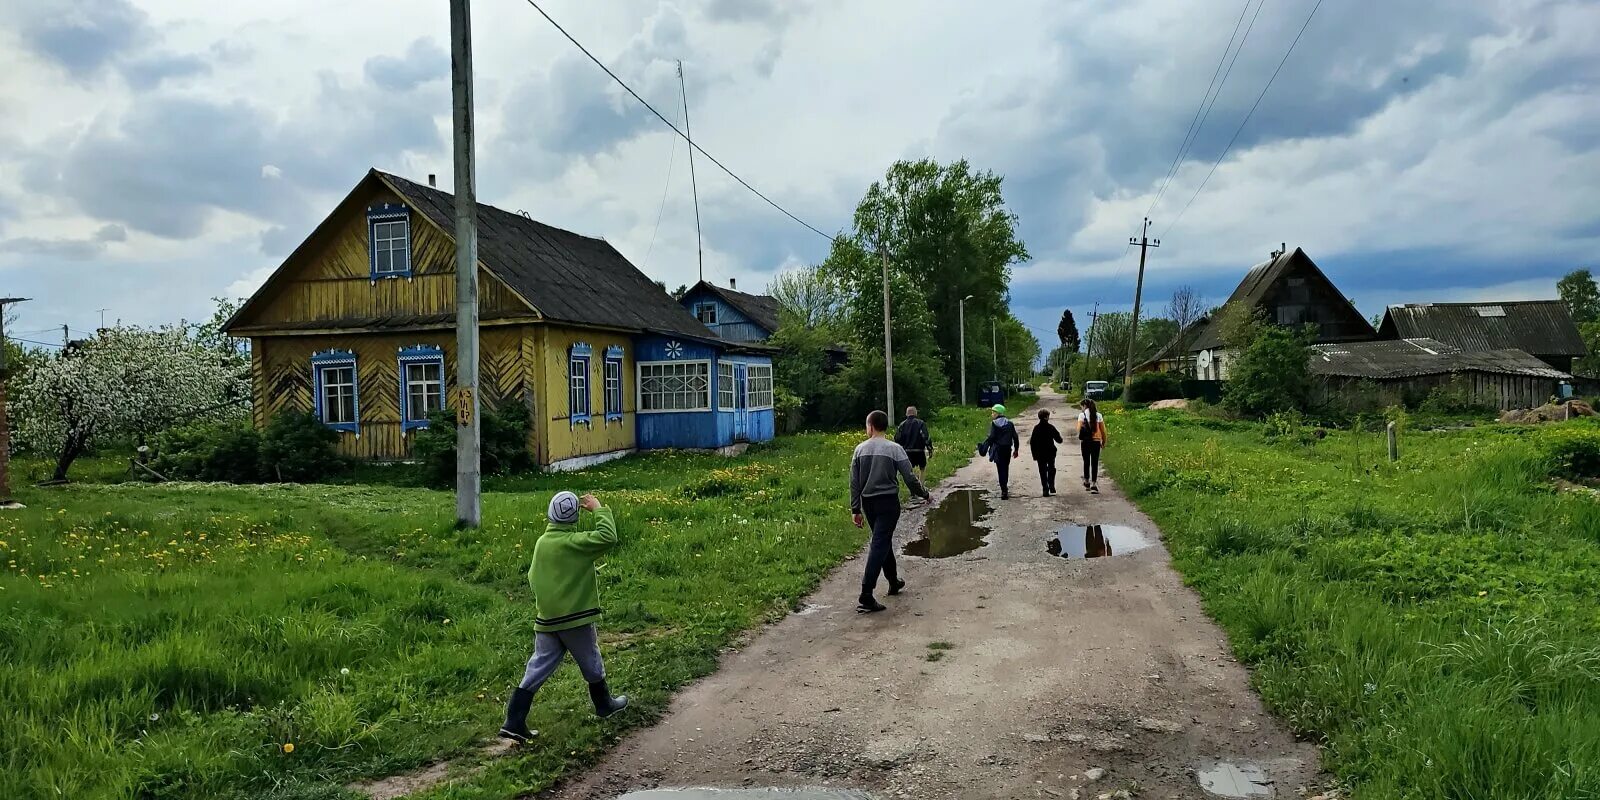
x=562 y=438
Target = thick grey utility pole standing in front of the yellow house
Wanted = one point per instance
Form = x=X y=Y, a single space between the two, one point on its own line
x=470 y=511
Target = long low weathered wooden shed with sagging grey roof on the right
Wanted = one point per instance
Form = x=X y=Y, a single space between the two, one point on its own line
x=1407 y=370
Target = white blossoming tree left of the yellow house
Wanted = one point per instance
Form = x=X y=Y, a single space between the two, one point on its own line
x=124 y=383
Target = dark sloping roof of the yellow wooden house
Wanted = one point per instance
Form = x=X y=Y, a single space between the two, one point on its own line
x=566 y=276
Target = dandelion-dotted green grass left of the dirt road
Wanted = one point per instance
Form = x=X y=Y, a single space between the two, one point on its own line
x=172 y=641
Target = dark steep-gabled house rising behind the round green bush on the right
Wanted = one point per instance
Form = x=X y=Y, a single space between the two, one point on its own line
x=1290 y=290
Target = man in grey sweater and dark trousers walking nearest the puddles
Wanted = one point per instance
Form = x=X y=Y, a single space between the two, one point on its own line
x=874 y=495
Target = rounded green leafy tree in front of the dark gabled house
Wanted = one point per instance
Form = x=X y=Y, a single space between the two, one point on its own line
x=1271 y=374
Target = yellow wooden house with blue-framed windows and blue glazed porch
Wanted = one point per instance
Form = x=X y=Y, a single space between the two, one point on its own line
x=358 y=327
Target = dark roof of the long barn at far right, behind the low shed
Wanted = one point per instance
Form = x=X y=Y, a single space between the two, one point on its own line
x=1538 y=327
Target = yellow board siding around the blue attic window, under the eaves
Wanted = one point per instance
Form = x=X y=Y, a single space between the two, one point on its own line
x=332 y=279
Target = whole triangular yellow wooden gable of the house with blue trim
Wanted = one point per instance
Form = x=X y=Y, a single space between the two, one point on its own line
x=329 y=284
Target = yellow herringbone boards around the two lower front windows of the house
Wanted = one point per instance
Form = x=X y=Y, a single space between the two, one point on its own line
x=281 y=374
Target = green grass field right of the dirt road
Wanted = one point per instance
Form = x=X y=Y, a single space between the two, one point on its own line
x=1434 y=623
